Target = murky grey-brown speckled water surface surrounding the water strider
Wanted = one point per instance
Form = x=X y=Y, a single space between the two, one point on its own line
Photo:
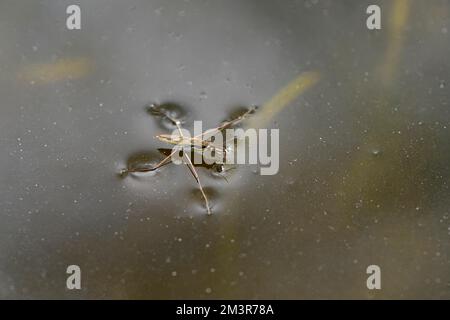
x=364 y=153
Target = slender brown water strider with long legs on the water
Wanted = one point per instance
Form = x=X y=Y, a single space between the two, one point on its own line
x=196 y=144
